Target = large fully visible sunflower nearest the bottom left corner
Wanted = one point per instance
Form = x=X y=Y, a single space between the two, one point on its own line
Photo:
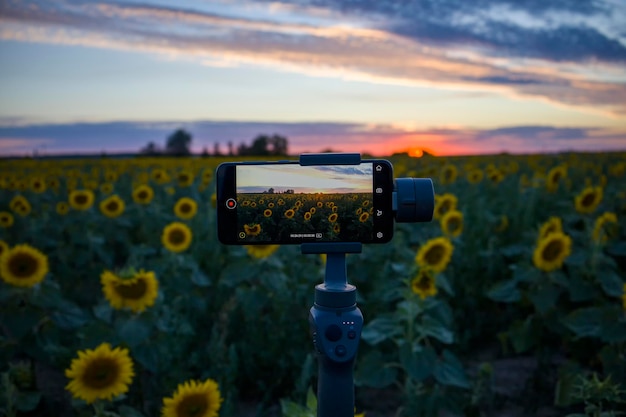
x=102 y=373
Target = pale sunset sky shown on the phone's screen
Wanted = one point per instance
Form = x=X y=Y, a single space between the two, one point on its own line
x=305 y=179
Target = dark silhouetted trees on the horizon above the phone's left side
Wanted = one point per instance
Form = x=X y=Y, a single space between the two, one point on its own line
x=179 y=144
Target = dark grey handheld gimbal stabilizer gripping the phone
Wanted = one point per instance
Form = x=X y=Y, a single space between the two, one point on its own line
x=335 y=320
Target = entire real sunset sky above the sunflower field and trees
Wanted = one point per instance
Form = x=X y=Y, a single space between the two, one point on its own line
x=453 y=77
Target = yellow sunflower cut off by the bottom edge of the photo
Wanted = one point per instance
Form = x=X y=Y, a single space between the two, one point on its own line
x=194 y=399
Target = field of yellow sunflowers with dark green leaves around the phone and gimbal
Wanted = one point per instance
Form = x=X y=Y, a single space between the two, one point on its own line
x=117 y=299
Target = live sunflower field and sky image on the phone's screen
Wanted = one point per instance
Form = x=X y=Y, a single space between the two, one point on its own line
x=293 y=203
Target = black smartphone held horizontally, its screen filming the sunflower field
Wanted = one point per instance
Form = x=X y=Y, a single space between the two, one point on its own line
x=288 y=203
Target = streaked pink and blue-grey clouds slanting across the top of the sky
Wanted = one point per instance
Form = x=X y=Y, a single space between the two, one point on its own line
x=553 y=51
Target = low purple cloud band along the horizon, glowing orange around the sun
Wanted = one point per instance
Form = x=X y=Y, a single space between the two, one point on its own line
x=380 y=140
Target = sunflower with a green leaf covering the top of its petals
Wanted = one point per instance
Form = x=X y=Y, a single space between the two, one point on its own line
x=136 y=292
